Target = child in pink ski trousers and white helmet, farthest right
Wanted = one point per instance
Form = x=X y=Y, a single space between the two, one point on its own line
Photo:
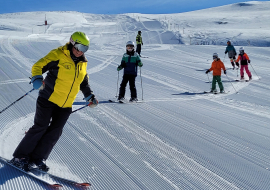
x=244 y=61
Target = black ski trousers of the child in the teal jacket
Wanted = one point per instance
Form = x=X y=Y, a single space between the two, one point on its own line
x=131 y=79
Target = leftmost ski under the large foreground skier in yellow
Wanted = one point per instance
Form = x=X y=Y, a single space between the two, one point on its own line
x=43 y=178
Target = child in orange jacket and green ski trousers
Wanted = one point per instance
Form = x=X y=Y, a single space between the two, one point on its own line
x=216 y=67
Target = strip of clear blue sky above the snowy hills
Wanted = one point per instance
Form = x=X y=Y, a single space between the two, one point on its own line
x=111 y=6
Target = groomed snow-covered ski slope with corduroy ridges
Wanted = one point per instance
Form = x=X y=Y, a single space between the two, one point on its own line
x=178 y=138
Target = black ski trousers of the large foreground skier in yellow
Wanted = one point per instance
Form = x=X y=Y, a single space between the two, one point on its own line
x=42 y=136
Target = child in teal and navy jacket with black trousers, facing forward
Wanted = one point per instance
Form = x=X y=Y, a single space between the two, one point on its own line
x=130 y=63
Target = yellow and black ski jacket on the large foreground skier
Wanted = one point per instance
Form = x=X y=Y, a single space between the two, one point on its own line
x=64 y=78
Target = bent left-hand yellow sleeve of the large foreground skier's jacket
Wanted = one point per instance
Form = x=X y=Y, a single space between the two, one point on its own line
x=45 y=63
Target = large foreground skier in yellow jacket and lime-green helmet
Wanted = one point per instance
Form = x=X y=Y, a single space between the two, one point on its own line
x=67 y=74
